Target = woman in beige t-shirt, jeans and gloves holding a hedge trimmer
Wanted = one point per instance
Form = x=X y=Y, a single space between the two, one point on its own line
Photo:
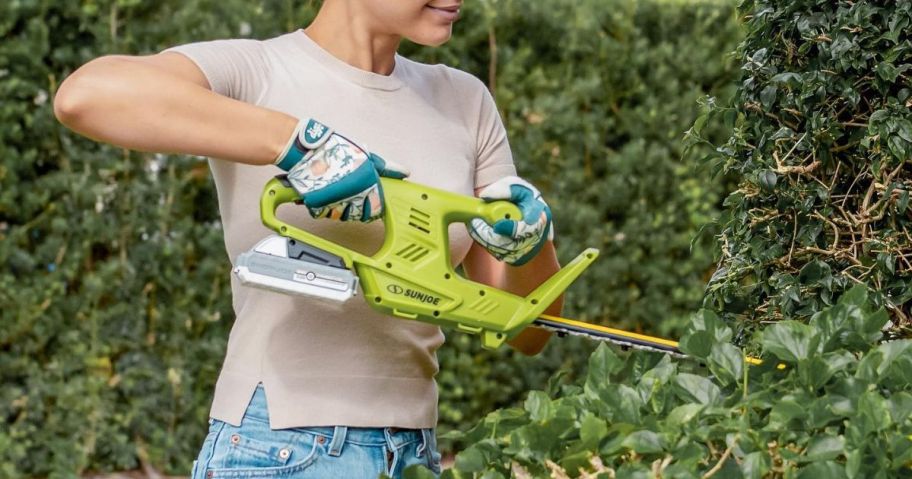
x=306 y=389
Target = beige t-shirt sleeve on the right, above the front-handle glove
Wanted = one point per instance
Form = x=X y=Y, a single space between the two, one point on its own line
x=494 y=159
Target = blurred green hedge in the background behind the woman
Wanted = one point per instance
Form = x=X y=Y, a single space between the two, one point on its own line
x=113 y=281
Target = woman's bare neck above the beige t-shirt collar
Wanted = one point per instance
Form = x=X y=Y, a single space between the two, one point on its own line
x=349 y=36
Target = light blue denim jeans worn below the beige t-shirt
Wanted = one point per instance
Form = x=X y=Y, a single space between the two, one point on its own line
x=255 y=450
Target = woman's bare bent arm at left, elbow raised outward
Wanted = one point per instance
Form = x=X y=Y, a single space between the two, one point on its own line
x=162 y=103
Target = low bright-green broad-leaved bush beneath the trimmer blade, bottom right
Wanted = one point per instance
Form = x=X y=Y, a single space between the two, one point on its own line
x=839 y=408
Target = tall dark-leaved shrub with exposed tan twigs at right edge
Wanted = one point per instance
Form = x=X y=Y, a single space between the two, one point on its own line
x=822 y=141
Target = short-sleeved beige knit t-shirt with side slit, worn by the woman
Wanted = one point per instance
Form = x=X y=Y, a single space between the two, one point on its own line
x=325 y=365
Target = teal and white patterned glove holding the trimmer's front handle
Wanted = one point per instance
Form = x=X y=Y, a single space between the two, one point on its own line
x=515 y=242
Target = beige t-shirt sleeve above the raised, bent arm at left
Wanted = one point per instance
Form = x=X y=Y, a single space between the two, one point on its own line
x=235 y=68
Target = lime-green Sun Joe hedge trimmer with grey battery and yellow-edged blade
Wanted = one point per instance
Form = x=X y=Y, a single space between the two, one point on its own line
x=411 y=276
